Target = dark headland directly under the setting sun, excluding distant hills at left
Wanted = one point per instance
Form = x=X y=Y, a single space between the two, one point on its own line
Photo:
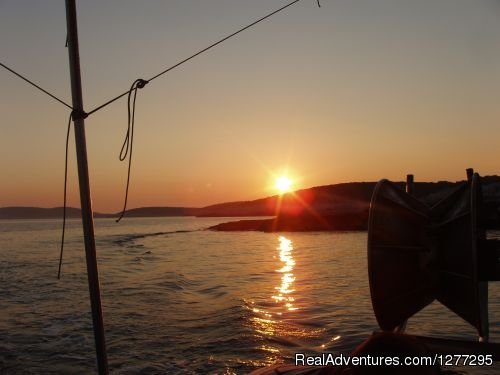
x=336 y=207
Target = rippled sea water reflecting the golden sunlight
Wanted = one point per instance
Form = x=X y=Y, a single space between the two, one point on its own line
x=178 y=299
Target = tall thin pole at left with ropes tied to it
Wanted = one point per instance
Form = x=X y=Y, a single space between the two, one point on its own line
x=85 y=196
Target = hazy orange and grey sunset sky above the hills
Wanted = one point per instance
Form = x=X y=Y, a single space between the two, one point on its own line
x=356 y=90
